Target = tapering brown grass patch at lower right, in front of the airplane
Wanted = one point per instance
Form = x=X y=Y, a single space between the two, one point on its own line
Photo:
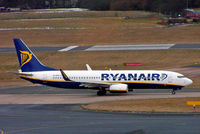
x=155 y=105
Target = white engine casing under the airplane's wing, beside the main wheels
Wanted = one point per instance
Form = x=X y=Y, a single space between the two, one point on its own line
x=118 y=88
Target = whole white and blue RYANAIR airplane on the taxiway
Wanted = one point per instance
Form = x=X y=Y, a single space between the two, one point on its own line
x=113 y=81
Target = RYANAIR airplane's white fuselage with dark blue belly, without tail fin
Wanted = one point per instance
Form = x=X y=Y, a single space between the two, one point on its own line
x=133 y=78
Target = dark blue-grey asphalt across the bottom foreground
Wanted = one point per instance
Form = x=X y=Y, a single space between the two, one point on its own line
x=66 y=119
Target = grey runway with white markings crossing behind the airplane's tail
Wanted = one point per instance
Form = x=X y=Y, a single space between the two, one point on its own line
x=130 y=47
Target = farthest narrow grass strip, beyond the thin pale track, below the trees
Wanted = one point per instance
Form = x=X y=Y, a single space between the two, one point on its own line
x=38 y=14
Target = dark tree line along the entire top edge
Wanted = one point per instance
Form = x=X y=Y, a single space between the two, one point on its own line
x=163 y=6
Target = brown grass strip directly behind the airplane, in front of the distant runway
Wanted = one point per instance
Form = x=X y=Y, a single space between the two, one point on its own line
x=158 y=59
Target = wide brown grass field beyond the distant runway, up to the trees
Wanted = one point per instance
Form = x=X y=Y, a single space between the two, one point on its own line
x=92 y=28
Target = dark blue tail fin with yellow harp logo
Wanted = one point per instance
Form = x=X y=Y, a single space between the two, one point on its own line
x=27 y=60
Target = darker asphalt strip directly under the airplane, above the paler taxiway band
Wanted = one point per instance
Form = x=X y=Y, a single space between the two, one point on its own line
x=40 y=89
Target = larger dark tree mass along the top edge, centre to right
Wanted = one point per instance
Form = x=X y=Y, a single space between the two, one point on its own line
x=163 y=6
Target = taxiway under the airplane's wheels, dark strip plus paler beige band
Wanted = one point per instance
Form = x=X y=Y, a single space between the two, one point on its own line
x=51 y=95
